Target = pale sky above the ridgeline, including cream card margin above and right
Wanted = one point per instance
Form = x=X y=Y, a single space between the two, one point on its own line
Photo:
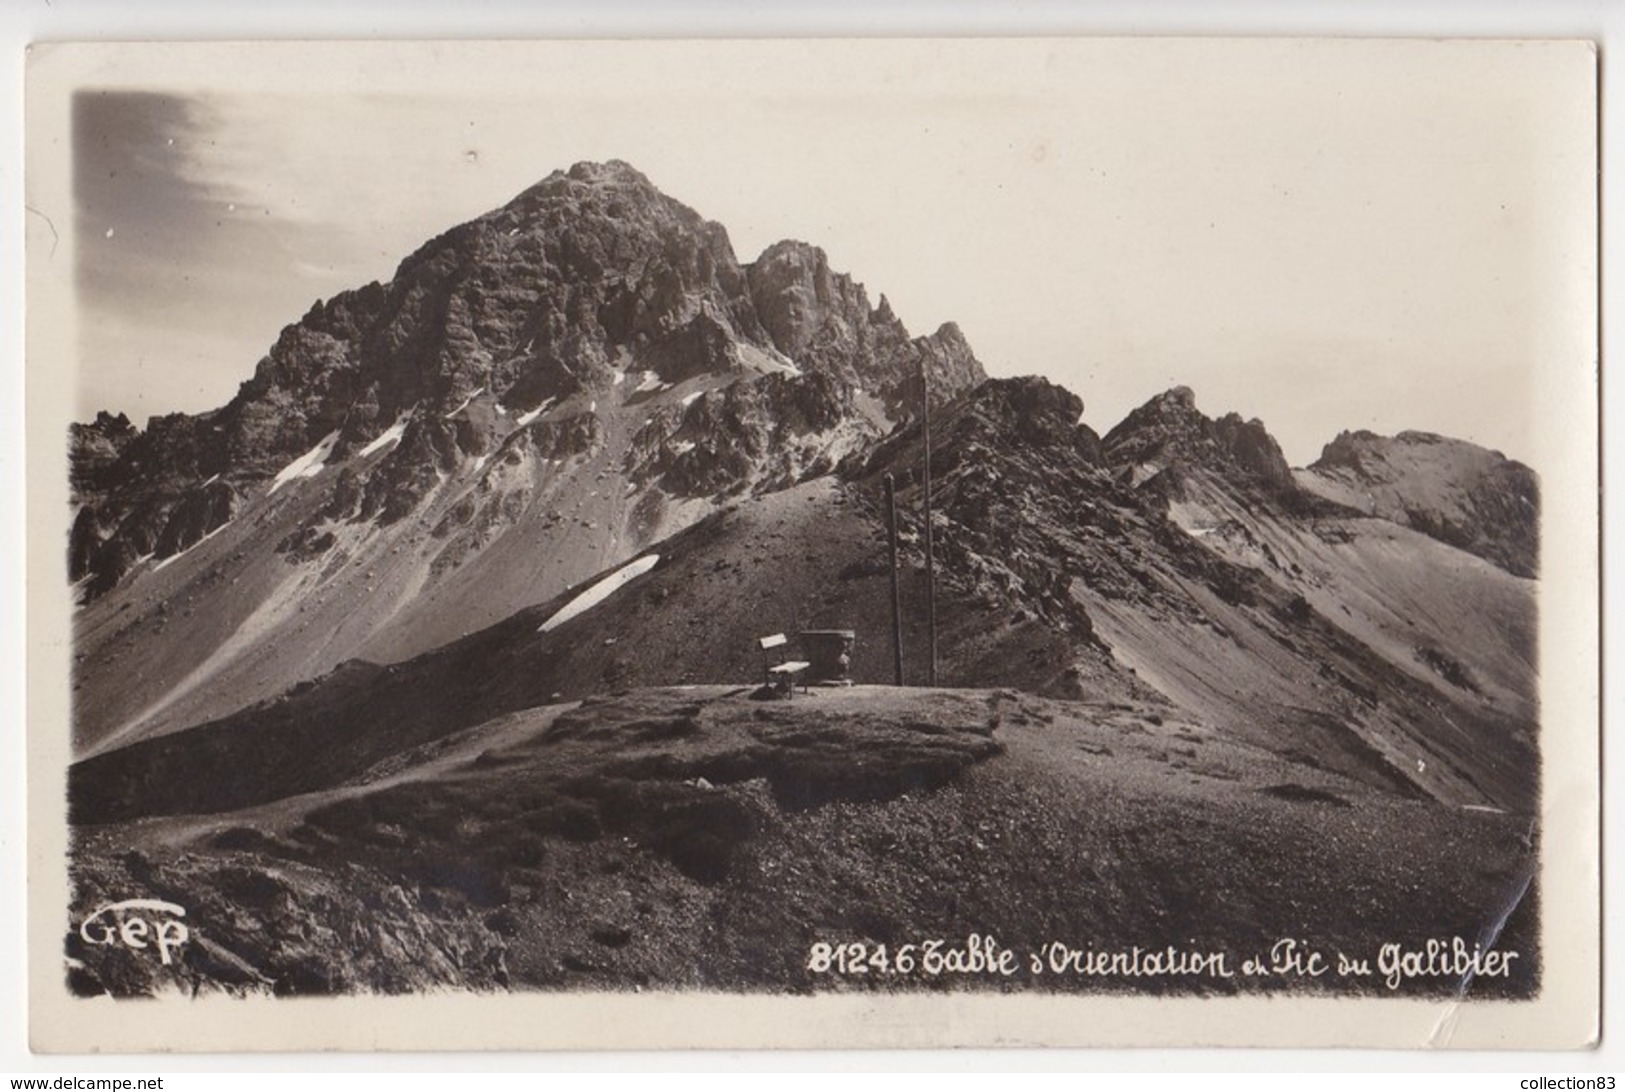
x=1320 y=235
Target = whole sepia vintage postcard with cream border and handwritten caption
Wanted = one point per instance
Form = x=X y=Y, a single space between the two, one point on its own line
x=813 y=544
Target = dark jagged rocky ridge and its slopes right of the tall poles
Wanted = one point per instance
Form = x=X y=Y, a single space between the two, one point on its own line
x=1182 y=553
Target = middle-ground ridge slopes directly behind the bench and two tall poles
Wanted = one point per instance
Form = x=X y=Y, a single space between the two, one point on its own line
x=1319 y=635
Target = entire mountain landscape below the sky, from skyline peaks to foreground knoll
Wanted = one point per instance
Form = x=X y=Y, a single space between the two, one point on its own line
x=339 y=696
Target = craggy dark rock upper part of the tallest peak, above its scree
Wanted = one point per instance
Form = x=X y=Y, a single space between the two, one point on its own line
x=587 y=329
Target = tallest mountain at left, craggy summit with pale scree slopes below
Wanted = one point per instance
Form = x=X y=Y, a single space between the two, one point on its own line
x=535 y=396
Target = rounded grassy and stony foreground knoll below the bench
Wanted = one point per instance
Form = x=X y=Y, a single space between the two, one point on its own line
x=674 y=839
